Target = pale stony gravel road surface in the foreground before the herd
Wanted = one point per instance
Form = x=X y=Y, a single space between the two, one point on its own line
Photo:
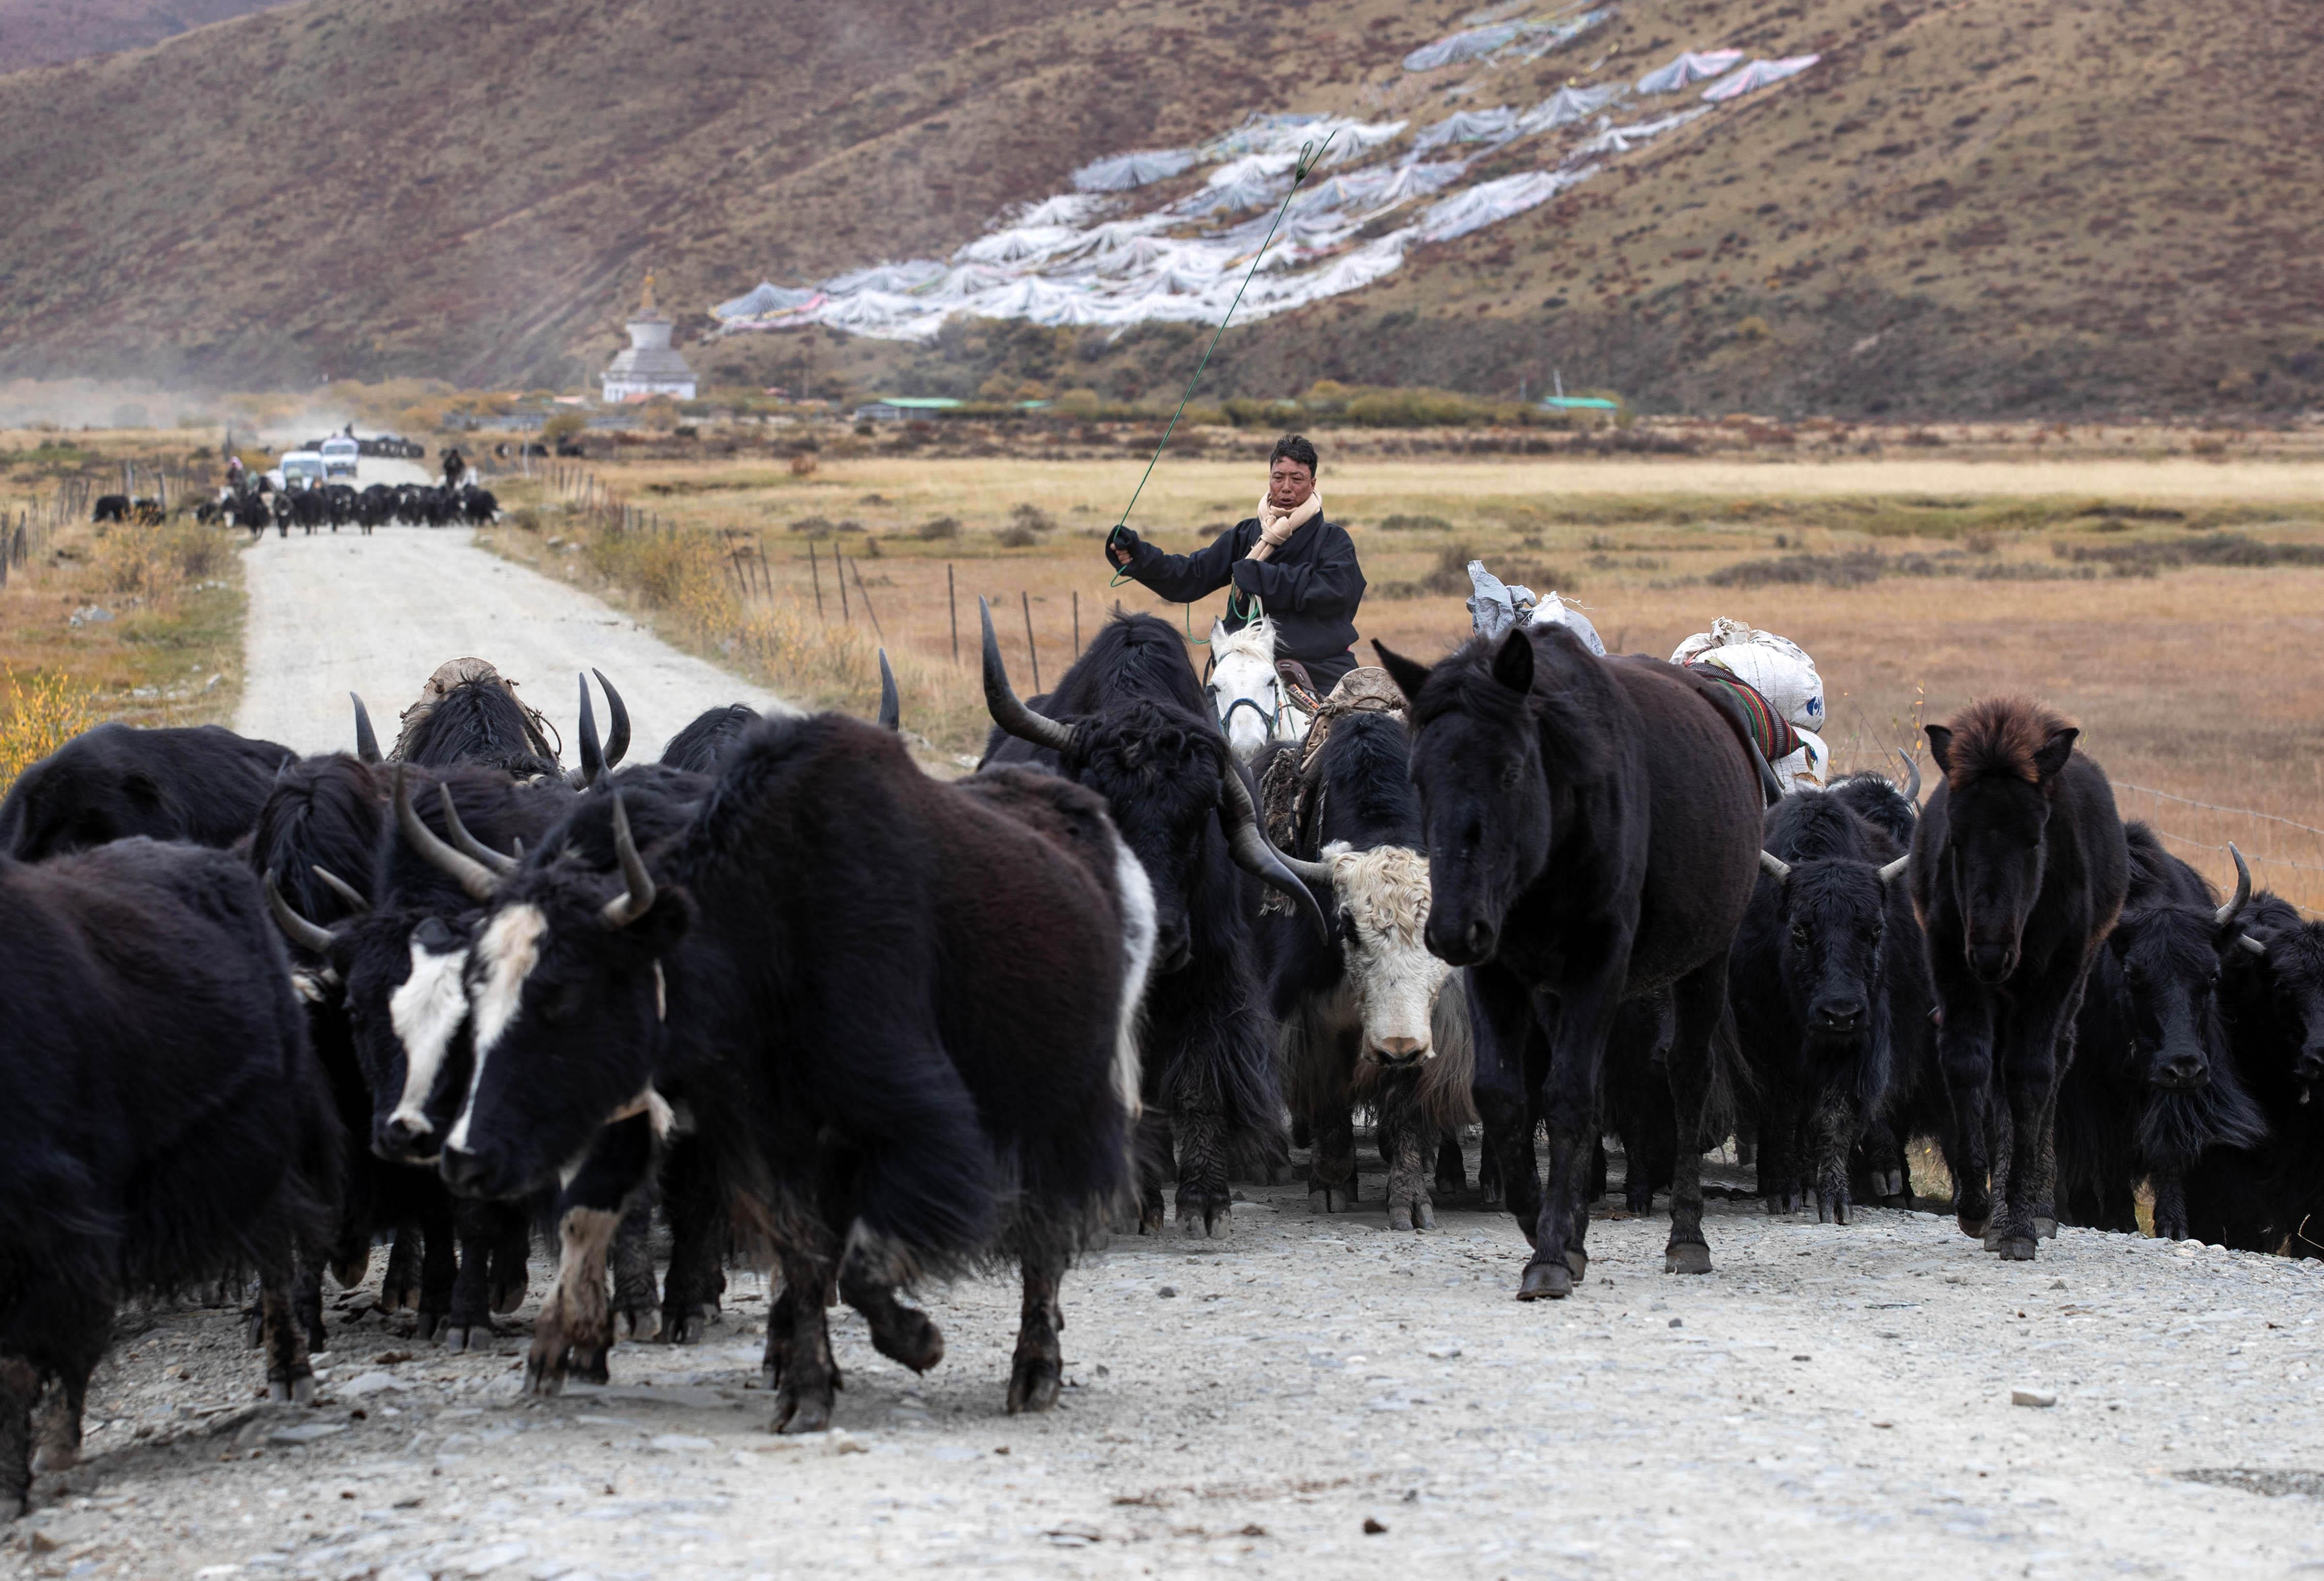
x=1307 y=1394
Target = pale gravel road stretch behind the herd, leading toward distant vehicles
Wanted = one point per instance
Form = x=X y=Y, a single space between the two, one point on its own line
x=375 y=615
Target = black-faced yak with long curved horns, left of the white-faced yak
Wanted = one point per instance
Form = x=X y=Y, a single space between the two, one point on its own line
x=1128 y=722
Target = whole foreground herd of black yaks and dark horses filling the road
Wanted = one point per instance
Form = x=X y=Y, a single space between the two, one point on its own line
x=808 y=1003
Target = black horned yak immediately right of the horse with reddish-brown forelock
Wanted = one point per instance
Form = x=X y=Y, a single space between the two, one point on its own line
x=2151 y=1087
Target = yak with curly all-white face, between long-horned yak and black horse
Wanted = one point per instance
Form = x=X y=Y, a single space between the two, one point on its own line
x=1368 y=1015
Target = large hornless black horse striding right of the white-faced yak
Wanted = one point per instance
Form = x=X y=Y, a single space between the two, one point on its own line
x=1593 y=831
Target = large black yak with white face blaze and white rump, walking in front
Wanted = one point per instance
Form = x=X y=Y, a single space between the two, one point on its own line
x=896 y=1010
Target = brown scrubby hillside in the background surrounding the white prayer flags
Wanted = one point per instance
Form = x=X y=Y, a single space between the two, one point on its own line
x=1965 y=208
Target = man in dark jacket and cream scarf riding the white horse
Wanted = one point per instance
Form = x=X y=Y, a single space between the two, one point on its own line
x=1286 y=564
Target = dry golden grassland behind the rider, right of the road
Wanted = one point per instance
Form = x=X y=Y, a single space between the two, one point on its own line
x=2190 y=680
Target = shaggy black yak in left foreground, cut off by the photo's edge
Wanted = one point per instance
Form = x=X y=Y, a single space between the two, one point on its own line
x=162 y=1119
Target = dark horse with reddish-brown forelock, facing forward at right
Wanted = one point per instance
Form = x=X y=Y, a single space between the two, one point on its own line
x=2018 y=875
